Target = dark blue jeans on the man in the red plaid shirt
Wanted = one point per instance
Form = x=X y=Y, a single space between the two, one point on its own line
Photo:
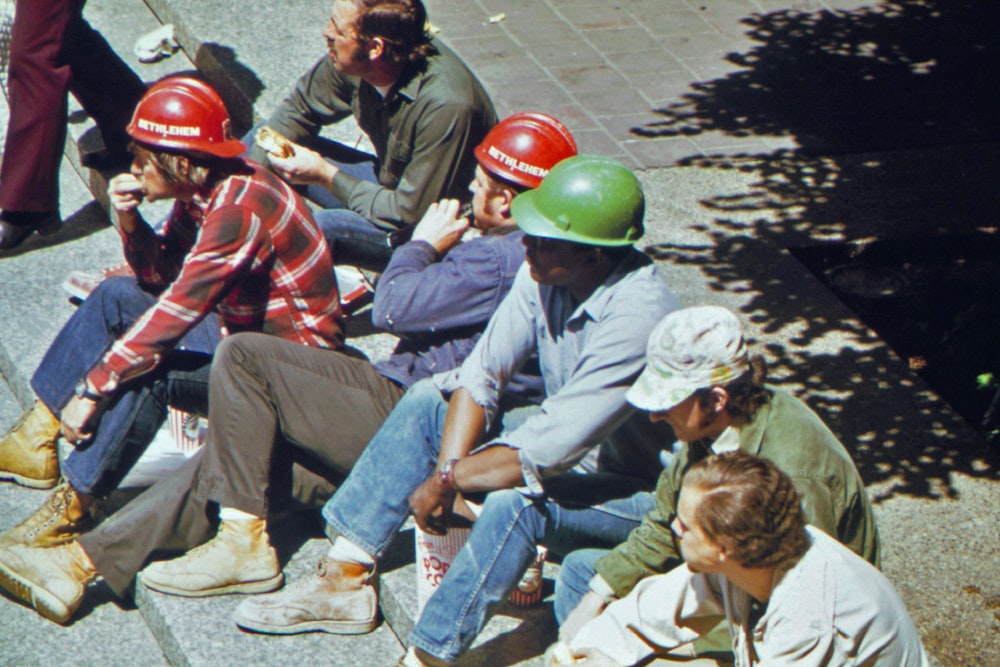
x=129 y=419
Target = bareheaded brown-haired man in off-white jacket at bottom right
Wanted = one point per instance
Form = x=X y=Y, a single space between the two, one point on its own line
x=787 y=592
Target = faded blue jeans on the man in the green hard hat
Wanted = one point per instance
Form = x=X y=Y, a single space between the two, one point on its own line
x=372 y=504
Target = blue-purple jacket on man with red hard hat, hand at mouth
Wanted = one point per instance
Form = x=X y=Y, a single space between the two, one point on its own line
x=440 y=306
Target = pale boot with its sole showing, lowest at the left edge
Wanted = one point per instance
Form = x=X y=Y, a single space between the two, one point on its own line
x=50 y=580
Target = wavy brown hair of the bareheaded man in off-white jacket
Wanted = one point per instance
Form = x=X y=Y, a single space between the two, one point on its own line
x=750 y=507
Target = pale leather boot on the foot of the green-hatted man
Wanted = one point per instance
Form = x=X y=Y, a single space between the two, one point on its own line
x=338 y=598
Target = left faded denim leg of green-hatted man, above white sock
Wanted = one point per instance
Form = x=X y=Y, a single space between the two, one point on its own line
x=373 y=502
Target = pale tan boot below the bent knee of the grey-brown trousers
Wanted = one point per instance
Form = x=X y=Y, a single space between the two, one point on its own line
x=239 y=559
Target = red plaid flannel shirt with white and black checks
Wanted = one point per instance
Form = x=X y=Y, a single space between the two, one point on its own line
x=248 y=248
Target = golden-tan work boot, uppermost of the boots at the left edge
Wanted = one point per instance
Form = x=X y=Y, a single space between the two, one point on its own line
x=28 y=450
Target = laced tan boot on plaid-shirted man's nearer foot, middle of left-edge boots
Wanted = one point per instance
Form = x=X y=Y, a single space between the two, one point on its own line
x=64 y=517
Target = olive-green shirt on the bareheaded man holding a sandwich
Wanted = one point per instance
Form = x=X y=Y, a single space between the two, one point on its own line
x=423 y=132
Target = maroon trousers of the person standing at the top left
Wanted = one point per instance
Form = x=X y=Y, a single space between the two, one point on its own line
x=54 y=50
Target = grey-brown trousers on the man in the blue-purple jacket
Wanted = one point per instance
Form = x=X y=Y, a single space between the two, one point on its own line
x=288 y=422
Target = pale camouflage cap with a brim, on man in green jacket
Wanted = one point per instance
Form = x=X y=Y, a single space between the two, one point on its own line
x=690 y=349
